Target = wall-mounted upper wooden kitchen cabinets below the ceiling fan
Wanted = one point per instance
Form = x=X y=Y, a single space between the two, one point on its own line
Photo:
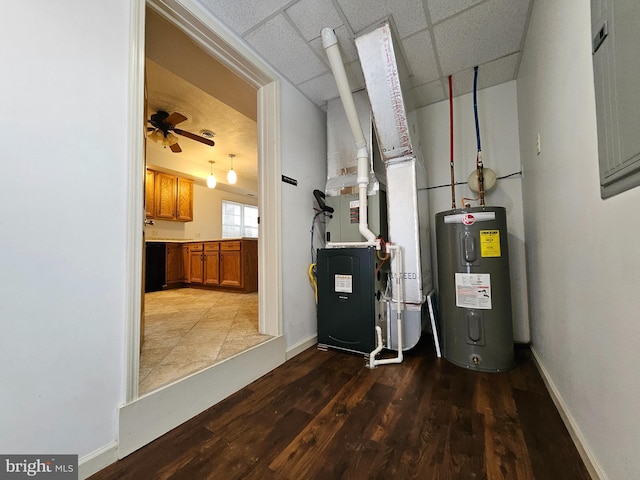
x=172 y=197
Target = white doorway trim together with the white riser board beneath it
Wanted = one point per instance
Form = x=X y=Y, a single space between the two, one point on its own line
x=144 y=418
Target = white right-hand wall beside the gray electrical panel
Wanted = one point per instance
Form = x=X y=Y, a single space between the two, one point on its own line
x=582 y=257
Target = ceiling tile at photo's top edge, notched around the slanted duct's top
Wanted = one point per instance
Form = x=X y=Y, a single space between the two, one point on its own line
x=408 y=15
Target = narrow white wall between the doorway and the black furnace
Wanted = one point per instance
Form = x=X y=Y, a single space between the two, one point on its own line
x=304 y=158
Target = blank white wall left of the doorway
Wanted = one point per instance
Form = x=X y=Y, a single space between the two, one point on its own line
x=62 y=248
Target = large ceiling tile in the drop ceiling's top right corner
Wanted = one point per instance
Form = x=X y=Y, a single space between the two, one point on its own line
x=490 y=30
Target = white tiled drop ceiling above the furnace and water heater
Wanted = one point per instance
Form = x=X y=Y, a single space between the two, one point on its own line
x=437 y=38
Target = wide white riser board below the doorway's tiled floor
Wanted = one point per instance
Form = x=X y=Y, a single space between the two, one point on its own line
x=153 y=415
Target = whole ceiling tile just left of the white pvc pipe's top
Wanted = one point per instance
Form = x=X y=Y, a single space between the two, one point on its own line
x=279 y=43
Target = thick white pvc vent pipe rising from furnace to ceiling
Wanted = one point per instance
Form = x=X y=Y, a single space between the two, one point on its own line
x=330 y=44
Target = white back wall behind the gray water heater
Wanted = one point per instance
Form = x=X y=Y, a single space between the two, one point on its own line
x=498 y=119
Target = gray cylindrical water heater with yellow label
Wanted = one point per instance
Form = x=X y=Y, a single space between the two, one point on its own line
x=474 y=288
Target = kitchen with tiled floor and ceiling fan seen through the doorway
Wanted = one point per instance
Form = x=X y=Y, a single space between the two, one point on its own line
x=190 y=322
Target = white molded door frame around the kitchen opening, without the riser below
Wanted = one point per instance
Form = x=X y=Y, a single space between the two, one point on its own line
x=221 y=44
